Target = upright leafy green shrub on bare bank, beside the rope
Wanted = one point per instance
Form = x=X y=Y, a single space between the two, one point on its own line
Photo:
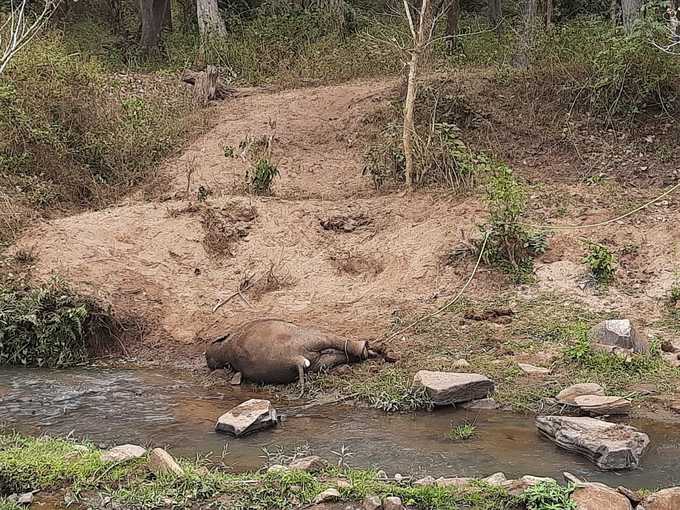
x=511 y=246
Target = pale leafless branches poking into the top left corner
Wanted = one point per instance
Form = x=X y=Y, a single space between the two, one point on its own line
x=18 y=30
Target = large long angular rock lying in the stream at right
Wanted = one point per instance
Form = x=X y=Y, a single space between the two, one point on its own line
x=610 y=446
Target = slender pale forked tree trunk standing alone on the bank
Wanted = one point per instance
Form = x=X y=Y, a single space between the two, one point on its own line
x=421 y=40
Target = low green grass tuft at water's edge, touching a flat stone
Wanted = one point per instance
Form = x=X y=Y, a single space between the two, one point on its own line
x=391 y=390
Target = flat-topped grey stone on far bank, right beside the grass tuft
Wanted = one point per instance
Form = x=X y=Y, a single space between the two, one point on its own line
x=446 y=388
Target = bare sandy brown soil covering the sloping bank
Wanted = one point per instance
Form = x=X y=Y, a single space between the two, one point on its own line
x=149 y=257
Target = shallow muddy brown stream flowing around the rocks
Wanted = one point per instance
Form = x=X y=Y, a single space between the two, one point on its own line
x=164 y=409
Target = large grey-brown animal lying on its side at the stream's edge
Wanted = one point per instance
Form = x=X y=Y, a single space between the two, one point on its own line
x=274 y=351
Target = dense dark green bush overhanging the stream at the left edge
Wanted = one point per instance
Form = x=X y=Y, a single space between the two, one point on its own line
x=50 y=326
